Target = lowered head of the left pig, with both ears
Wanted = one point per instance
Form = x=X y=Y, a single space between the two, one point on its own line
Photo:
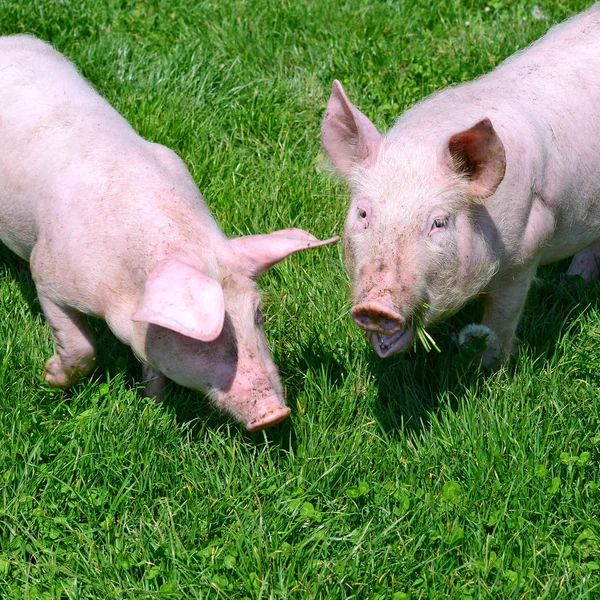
x=200 y=325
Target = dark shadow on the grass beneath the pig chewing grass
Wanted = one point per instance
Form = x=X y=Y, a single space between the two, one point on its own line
x=412 y=387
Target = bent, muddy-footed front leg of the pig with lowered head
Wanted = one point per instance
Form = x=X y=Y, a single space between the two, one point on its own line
x=76 y=353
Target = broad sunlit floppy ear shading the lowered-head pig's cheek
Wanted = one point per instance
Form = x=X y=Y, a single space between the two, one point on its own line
x=181 y=298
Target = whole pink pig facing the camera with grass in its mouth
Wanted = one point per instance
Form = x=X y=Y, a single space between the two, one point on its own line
x=473 y=188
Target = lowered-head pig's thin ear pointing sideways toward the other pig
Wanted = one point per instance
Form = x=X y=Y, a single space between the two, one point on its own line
x=254 y=254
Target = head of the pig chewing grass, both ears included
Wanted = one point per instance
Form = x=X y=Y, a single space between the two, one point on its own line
x=415 y=235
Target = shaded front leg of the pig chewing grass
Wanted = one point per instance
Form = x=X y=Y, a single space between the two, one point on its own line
x=503 y=306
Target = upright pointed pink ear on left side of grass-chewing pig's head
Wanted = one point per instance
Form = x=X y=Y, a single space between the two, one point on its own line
x=348 y=136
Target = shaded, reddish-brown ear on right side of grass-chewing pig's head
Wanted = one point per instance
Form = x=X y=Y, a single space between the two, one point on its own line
x=478 y=153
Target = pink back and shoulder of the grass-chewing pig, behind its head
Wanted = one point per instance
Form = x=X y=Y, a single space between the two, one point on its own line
x=544 y=102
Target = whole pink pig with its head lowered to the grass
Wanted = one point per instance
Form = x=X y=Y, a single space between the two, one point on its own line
x=114 y=226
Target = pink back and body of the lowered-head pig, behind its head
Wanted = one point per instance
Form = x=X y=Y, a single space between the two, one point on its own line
x=91 y=203
